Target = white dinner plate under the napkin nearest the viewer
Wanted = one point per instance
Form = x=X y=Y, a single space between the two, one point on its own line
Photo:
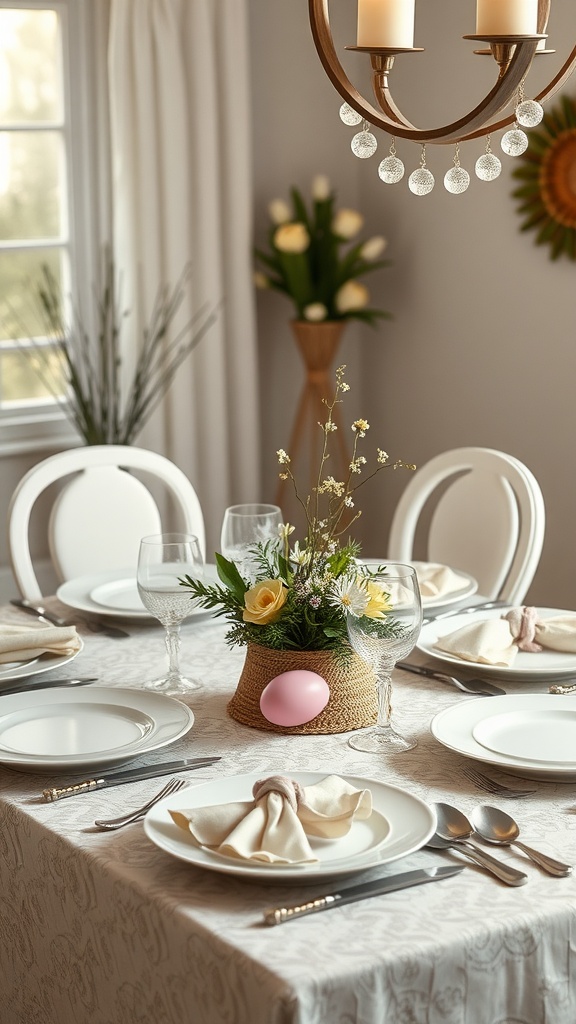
x=399 y=825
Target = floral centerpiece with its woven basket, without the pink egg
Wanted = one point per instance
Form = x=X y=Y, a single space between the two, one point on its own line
x=293 y=611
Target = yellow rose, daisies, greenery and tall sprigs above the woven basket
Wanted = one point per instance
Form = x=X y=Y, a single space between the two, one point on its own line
x=300 y=593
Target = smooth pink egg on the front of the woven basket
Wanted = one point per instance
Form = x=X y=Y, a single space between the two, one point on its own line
x=295 y=698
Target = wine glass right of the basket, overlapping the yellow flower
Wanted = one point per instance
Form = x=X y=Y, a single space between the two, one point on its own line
x=383 y=643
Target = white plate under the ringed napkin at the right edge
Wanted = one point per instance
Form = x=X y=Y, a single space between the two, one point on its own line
x=526 y=667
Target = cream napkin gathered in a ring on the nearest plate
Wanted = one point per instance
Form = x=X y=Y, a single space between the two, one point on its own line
x=275 y=826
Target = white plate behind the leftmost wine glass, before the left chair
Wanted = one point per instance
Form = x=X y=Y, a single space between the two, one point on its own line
x=115 y=593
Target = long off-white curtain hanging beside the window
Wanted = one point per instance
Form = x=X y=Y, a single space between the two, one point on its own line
x=182 y=194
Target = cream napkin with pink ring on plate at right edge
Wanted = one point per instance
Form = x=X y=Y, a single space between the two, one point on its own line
x=498 y=642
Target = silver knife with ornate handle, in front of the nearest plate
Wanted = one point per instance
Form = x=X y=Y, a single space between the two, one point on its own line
x=351 y=894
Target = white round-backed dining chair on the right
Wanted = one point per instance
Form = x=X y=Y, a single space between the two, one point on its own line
x=489 y=520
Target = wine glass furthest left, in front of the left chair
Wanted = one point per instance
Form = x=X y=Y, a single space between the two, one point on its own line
x=163 y=561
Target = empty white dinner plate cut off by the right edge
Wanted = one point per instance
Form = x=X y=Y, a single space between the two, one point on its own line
x=476 y=729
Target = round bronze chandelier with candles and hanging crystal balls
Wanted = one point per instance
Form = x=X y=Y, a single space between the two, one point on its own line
x=514 y=32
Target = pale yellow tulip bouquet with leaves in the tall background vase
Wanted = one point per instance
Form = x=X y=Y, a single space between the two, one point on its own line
x=315 y=262
